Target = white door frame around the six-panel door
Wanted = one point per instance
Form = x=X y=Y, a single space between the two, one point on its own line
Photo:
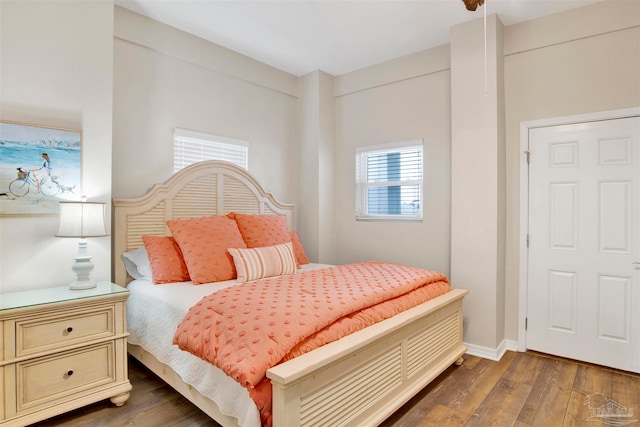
x=523 y=267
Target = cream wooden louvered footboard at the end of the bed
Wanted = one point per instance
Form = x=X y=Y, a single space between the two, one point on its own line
x=365 y=377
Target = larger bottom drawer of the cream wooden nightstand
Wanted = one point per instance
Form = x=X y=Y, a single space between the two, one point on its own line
x=52 y=378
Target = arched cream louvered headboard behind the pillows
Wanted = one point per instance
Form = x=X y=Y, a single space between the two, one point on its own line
x=204 y=188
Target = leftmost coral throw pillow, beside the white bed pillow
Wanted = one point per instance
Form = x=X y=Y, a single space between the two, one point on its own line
x=165 y=258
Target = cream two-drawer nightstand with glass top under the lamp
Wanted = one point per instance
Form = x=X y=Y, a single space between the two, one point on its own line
x=61 y=349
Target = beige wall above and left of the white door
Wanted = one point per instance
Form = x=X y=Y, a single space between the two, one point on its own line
x=581 y=61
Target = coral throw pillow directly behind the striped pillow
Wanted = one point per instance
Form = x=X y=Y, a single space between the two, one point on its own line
x=262 y=230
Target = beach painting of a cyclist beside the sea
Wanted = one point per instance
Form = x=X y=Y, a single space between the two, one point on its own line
x=39 y=166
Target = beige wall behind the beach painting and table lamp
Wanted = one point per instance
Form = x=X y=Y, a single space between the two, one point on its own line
x=56 y=70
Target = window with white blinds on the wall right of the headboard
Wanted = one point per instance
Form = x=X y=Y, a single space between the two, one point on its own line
x=389 y=181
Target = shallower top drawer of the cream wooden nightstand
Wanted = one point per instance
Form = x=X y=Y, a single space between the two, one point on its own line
x=59 y=331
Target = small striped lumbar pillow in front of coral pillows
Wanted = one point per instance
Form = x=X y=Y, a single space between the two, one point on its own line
x=256 y=263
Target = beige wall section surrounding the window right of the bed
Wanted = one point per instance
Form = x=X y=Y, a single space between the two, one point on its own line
x=401 y=100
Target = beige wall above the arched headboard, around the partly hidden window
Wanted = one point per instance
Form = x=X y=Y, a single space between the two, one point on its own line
x=165 y=78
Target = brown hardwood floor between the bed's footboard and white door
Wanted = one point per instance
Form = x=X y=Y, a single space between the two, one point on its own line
x=523 y=389
